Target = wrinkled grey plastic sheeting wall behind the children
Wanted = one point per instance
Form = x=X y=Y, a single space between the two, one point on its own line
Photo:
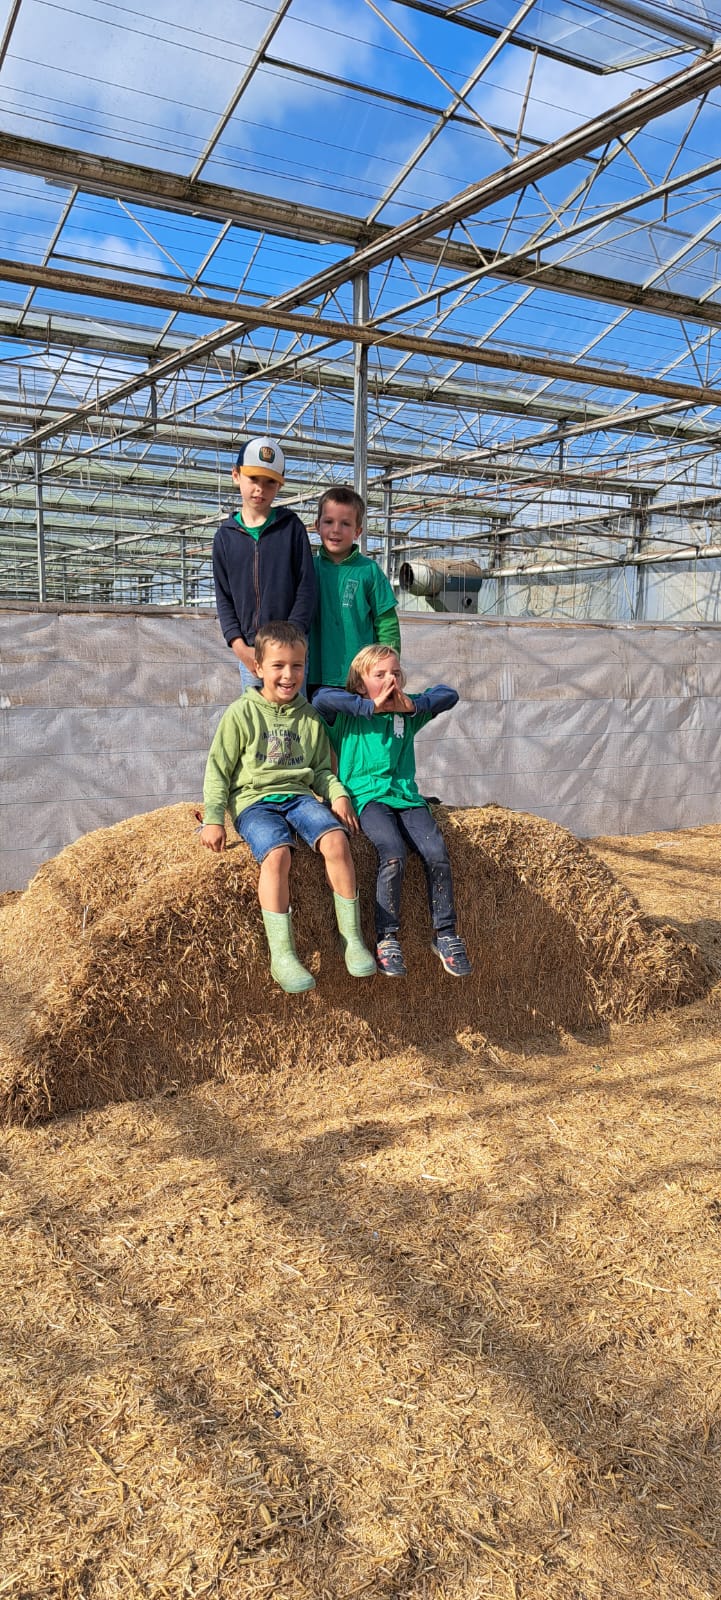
x=603 y=729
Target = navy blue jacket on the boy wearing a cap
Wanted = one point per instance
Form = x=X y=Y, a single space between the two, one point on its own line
x=268 y=580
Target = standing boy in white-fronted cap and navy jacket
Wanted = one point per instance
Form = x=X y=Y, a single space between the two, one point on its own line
x=263 y=564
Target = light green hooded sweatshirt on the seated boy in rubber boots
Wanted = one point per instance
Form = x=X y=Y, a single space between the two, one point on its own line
x=265 y=750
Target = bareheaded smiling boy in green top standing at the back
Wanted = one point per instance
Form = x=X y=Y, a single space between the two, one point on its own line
x=356 y=602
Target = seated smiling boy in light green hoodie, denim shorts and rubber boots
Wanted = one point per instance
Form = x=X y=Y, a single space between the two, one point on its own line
x=268 y=764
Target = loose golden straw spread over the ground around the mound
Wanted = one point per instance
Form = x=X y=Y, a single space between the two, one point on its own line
x=439 y=1327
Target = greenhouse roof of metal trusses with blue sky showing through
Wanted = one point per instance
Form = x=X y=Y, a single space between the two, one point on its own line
x=493 y=314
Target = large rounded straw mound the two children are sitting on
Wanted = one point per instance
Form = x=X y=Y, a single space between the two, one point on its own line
x=137 y=959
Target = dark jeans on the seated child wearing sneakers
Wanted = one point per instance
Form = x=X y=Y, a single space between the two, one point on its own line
x=394 y=833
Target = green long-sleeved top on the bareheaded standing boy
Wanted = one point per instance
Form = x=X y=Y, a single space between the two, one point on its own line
x=356 y=607
